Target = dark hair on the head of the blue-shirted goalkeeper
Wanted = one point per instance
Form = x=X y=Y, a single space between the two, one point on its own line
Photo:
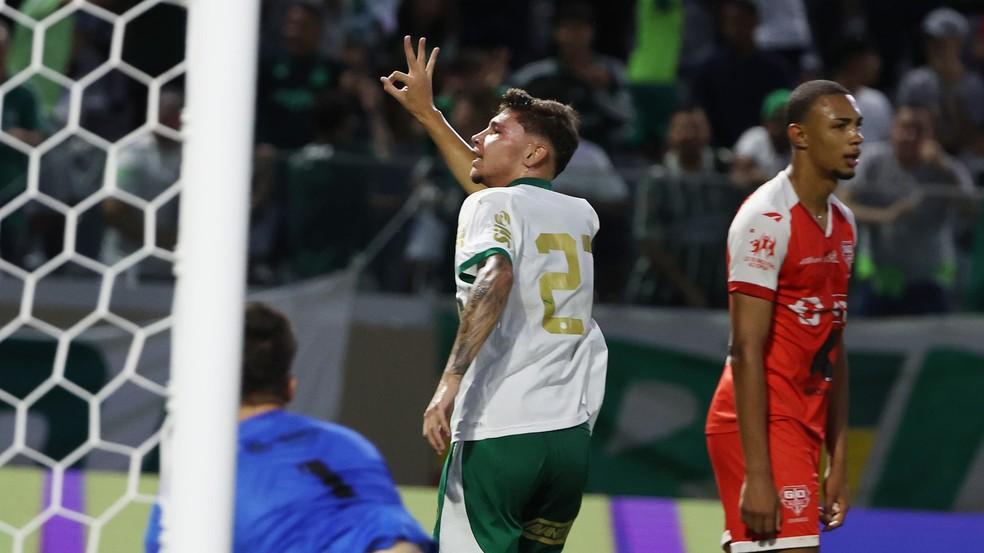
x=268 y=352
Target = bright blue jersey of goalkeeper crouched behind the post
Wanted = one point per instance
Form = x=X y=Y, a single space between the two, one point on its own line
x=306 y=486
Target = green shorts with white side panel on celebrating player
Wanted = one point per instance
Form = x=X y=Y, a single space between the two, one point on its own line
x=512 y=494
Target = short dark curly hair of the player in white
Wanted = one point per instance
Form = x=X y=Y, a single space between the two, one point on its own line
x=550 y=119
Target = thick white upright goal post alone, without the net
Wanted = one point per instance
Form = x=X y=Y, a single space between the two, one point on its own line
x=210 y=265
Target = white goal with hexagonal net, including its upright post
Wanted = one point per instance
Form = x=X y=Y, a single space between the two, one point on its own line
x=105 y=284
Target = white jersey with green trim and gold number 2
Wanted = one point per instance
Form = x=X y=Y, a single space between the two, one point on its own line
x=543 y=367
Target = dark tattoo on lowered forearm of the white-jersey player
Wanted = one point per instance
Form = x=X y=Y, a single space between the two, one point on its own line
x=485 y=304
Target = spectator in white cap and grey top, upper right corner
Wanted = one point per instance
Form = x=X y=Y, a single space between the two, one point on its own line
x=953 y=93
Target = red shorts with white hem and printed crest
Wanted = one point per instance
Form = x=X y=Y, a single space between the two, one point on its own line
x=795 y=456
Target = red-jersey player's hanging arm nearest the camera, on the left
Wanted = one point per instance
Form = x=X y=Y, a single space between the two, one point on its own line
x=751 y=318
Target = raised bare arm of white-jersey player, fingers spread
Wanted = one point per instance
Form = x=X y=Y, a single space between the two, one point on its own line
x=417 y=97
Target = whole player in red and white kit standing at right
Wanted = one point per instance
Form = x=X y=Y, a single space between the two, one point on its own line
x=783 y=393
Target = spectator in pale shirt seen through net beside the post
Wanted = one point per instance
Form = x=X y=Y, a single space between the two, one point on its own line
x=147 y=168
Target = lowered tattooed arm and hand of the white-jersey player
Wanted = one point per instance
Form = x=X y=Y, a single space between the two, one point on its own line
x=486 y=303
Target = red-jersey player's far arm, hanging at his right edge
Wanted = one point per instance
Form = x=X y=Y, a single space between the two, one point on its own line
x=835 y=500
